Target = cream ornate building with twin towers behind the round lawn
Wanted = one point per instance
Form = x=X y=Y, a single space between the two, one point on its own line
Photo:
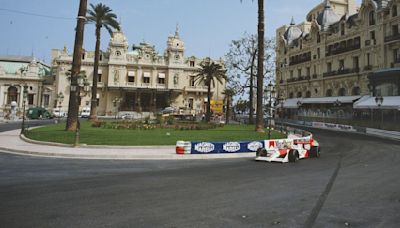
x=140 y=79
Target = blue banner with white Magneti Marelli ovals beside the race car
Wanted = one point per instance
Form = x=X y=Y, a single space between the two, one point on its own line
x=226 y=147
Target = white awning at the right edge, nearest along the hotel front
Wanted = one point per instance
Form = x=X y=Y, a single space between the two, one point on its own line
x=367 y=102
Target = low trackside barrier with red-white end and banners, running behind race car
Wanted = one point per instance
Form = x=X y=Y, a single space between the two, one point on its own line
x=202 y=147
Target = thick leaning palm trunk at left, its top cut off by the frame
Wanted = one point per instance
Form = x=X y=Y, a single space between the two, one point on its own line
x=73 y=105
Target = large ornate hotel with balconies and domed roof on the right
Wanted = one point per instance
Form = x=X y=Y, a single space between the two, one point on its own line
x=330 y=56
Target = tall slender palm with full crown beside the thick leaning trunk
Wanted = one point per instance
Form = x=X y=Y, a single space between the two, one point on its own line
x=101 y=15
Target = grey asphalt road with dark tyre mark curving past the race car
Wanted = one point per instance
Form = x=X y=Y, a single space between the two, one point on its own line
x=355 y=183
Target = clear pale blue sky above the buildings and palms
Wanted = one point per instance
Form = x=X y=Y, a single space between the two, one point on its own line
x=206 y=26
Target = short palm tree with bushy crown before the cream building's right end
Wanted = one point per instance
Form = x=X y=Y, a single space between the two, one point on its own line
x=209 y=72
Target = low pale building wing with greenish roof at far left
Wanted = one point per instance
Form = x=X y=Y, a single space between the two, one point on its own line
x=19 y=71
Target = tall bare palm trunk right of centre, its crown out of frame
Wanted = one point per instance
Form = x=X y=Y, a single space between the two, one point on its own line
x=260 y=69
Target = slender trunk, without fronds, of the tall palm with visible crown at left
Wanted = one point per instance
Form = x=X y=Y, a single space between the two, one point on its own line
x=93 y=103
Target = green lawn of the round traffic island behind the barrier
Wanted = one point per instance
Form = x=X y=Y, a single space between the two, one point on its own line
x=101 y=136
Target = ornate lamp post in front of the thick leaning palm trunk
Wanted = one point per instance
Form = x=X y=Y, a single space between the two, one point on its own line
x=82 y=88
